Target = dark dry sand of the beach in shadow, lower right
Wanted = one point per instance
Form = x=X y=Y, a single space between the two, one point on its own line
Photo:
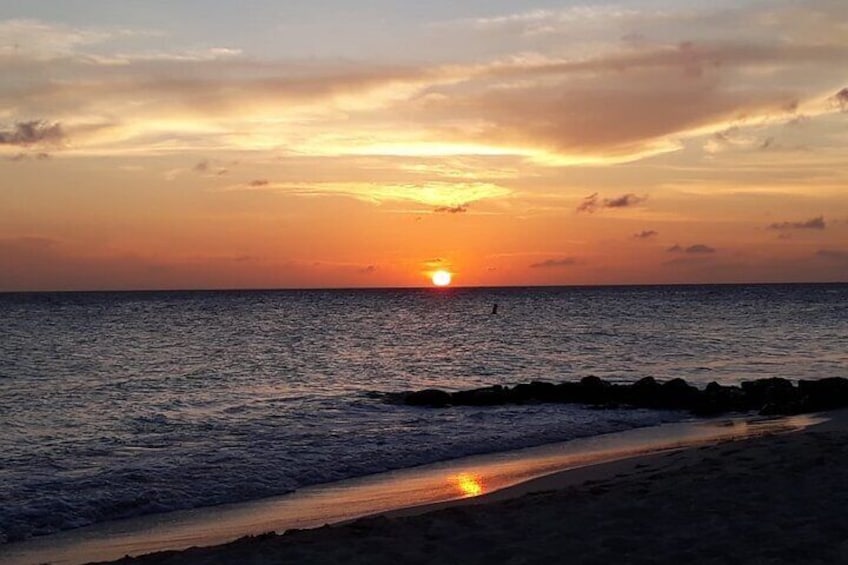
x=775 y=499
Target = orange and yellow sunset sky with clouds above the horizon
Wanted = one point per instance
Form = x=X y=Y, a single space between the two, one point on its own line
x=180 y=144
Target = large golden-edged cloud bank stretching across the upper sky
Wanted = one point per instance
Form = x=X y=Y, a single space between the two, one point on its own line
x=556 y=105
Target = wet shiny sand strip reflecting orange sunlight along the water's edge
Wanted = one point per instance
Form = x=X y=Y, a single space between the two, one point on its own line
x=406 y=492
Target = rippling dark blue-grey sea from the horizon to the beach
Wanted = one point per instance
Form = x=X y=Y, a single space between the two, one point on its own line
x=115 y=405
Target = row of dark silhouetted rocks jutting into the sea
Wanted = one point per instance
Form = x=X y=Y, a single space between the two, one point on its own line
x=773 y=396
